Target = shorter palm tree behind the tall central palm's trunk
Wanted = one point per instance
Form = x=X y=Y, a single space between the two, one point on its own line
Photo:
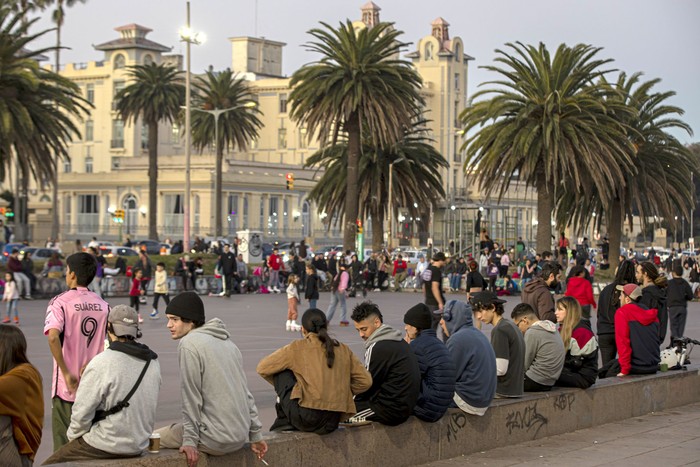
x=416 y=169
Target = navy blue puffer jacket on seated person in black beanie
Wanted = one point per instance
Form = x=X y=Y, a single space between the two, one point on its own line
x=438 y=376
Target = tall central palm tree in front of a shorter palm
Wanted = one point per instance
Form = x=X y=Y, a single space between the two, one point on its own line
x=358 y=81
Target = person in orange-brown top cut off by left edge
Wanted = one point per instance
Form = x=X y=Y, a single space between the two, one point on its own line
x=21 y=400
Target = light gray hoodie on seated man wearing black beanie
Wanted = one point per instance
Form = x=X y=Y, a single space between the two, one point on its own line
x=219 y=411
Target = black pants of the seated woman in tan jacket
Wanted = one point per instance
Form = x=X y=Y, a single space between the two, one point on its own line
x=289 y=413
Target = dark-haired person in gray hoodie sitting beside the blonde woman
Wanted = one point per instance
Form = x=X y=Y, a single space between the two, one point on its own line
x=544 y=349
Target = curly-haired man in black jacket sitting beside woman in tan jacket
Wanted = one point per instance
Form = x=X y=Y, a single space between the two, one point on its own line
x=394 y=369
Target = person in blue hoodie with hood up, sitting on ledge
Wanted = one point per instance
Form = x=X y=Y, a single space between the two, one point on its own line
x=474 y=359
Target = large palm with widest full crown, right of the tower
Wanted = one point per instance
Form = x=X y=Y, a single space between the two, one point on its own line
x=547 y=123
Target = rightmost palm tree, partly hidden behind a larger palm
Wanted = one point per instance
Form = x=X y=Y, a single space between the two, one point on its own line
x=661 y=184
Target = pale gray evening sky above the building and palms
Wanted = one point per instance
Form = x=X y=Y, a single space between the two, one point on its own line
x=659 y=38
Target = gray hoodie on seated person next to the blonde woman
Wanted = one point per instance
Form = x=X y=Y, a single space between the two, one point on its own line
x=544 y=353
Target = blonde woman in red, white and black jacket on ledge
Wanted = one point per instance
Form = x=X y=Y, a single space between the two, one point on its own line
x=581 y=361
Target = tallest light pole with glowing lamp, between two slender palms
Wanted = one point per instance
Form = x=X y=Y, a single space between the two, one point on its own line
x=189 y=37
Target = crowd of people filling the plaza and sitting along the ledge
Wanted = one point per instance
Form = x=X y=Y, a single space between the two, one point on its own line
x=105 y=383
